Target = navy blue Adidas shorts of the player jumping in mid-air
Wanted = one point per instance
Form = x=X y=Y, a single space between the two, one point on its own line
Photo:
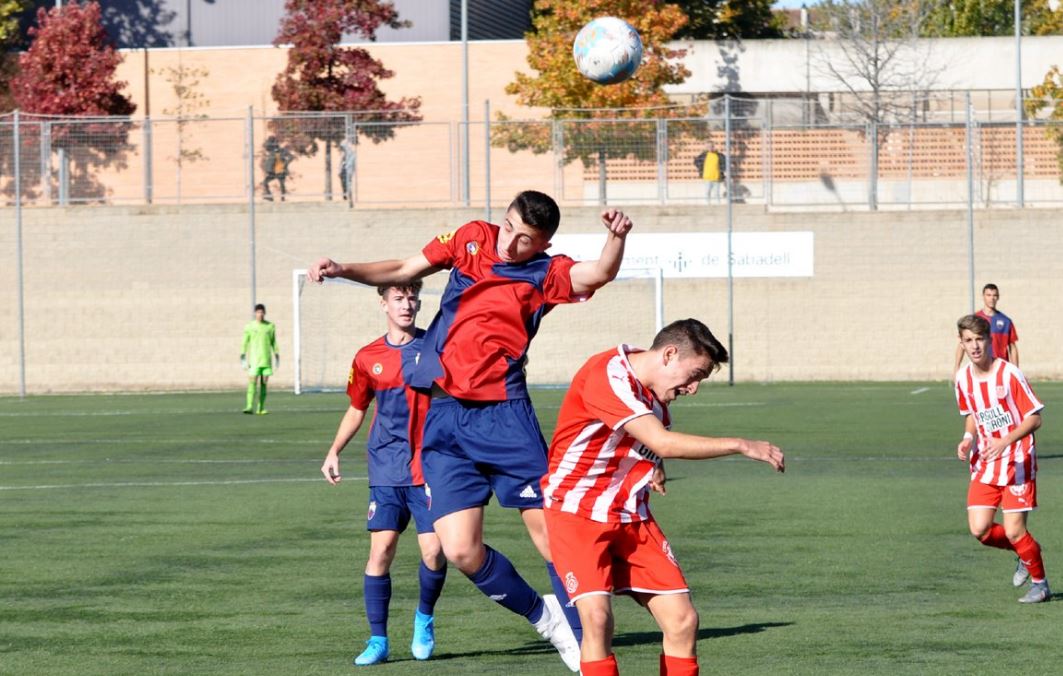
x=473 y=449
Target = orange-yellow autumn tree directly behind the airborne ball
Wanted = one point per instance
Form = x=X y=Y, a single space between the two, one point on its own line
x=560 y=87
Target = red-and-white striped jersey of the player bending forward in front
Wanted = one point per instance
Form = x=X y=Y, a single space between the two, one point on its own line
x=597 y=470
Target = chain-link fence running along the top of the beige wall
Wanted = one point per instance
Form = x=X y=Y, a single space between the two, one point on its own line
x=798 y=153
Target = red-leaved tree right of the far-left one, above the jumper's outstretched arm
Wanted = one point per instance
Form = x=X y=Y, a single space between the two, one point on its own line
x=324 y=77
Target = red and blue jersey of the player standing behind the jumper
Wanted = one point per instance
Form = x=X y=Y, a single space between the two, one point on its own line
x=381 y=371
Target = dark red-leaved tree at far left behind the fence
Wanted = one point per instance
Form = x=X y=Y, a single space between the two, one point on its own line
x=70 y=71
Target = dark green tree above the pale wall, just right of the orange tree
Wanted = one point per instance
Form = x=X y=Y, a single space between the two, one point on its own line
x=730 y=20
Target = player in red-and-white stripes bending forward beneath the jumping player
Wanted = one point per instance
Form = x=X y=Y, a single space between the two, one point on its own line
x=613 y=432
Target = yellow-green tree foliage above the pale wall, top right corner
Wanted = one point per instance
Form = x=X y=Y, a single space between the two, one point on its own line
x=964 y=19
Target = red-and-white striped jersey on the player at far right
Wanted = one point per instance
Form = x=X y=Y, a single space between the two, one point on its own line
x=1000 y=403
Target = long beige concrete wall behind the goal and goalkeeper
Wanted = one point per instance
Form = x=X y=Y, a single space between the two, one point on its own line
x=156 y=298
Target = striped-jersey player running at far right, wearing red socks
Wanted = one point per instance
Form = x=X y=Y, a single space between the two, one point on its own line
x=1002 y=413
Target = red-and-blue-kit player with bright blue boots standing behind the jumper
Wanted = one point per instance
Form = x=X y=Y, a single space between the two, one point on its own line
x=380 y=373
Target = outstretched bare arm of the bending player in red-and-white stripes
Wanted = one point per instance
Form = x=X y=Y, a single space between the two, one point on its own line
x=676 y=445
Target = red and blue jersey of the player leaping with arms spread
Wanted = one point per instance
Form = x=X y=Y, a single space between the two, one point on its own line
x=477 y=346
